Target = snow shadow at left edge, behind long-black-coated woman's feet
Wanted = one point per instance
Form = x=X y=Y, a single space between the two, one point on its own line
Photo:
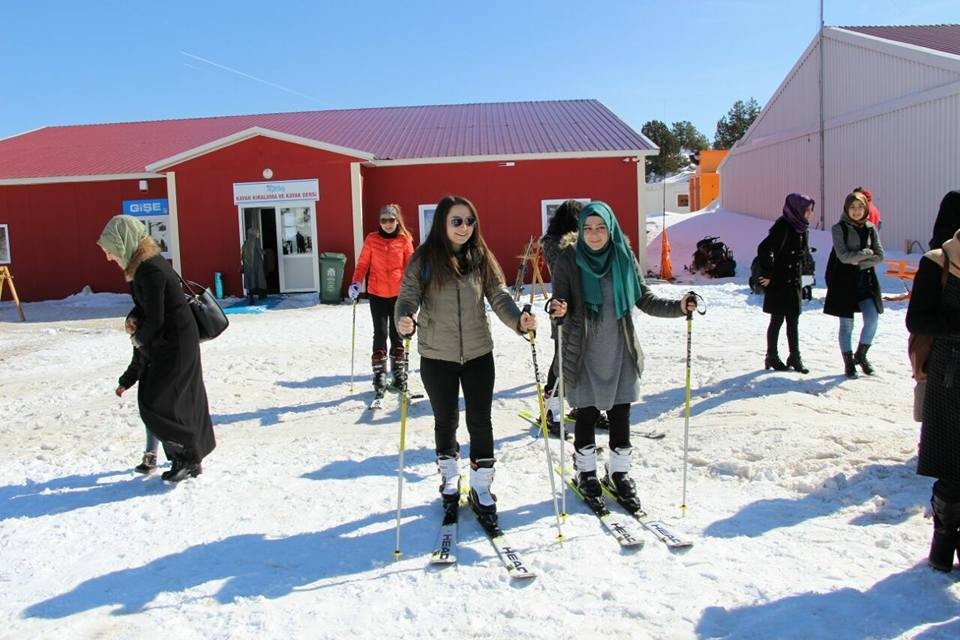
x=33 y=500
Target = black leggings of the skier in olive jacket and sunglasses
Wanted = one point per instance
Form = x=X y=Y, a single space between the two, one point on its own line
x=442 y=381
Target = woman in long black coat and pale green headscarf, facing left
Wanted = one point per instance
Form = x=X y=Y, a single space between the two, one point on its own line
x=171 y=394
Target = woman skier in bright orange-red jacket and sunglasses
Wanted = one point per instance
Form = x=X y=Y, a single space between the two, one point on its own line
x=382 y=260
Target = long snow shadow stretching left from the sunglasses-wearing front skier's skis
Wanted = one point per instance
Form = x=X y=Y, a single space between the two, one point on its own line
x=253 y=565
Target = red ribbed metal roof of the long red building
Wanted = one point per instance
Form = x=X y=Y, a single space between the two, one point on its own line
x=490 y=129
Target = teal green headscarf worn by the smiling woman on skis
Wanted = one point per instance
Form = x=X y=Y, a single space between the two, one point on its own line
x=614 y=258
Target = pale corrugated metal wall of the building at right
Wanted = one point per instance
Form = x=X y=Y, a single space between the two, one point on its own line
x=891 y=123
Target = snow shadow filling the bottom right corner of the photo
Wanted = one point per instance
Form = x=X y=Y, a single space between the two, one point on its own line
x=889 y=609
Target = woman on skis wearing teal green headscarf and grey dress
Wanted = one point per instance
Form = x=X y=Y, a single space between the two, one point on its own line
x=596 y=283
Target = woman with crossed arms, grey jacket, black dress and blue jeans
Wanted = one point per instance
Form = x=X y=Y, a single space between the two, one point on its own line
x=852 y=285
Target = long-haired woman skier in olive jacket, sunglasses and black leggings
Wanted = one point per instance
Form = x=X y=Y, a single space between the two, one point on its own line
x=449 y=279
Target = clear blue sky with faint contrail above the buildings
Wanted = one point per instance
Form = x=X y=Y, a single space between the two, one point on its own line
x=68 y=62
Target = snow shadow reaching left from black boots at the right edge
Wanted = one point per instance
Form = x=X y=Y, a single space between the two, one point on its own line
x=902 y=489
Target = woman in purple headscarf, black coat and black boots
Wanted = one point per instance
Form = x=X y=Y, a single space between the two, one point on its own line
x=781 y=257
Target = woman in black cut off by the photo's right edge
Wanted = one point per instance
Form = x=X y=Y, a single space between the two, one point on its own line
x=935 y=311
